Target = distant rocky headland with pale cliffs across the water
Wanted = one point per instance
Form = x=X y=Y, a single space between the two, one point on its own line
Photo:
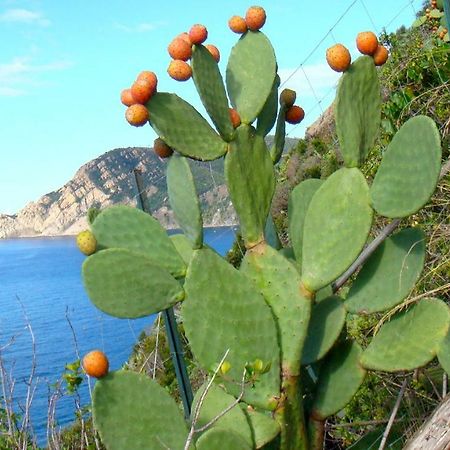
x=109 y=180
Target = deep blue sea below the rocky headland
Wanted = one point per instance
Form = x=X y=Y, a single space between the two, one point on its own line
x=41 y=289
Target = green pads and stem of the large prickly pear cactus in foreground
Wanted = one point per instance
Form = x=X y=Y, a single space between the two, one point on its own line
x=272 y=333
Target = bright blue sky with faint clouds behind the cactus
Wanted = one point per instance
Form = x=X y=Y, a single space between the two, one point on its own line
x=64 y=63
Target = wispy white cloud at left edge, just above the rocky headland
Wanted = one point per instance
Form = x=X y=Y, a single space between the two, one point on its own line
x=22 y=73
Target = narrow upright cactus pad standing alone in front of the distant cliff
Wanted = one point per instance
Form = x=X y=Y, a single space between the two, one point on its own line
x=184 y=199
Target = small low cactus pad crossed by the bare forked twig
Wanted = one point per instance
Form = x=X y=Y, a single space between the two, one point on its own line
x=216 y=401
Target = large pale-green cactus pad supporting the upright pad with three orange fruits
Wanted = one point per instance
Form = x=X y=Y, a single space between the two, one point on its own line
x=331 y=245
